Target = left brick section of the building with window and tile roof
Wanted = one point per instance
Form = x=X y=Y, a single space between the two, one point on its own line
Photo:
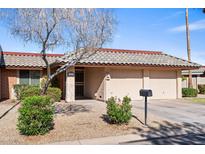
x=22 y=68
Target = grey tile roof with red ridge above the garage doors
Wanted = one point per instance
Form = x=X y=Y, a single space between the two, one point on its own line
x=106 y=56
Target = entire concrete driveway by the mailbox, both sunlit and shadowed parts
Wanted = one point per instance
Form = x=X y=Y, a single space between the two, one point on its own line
x=188 y=116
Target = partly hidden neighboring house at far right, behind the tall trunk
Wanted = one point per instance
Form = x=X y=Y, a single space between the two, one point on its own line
x=198 y=77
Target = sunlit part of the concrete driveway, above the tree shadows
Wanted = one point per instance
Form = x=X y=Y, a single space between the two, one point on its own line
x=177 y=110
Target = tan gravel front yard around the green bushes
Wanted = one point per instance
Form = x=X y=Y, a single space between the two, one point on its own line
x=83 y=119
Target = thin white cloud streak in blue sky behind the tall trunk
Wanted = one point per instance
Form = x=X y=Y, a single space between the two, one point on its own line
x=197 y=25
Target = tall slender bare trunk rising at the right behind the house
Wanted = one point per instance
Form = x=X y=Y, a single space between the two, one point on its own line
x=190 y=85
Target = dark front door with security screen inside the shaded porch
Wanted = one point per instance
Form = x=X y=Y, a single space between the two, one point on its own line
x=79 y=83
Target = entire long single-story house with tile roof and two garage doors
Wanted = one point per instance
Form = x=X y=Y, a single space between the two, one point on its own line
x=108 y=72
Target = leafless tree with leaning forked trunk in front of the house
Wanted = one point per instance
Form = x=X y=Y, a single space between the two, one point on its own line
x=83 y=30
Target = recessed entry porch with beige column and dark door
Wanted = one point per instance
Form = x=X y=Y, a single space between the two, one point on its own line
x=85 y=83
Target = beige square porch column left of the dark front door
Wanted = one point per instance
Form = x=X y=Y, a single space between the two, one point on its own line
x=70 y=85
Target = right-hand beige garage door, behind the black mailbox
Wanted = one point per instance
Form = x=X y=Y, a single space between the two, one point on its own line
x=163 y=84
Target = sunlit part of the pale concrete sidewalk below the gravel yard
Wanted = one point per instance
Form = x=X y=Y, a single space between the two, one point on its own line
x=111 y=140
